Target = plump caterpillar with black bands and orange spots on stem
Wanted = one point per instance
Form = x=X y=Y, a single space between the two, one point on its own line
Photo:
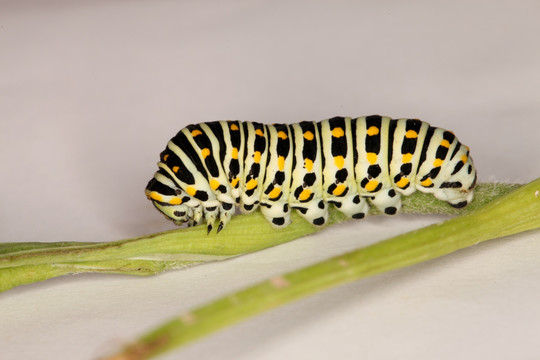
x=209 y=169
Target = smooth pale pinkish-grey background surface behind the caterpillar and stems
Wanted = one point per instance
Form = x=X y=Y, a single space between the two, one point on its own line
x=90 y=92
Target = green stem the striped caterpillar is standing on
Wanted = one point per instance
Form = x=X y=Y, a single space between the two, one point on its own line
x=25 y=263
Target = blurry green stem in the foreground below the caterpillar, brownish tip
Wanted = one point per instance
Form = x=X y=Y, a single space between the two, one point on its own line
x=511 y=214
